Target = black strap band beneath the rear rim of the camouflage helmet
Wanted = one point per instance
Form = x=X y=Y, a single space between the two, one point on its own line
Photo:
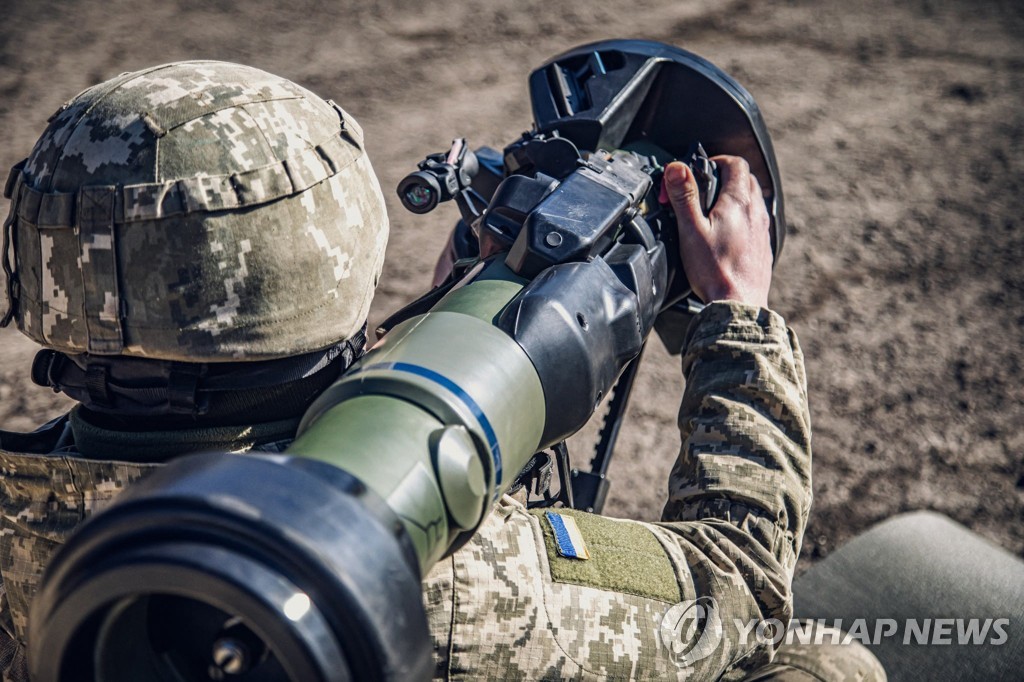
x=142 y=388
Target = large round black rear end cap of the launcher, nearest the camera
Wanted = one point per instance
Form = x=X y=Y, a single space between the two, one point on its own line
x=212 y=538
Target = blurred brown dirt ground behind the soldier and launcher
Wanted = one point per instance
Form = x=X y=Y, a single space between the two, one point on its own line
x=901 y=136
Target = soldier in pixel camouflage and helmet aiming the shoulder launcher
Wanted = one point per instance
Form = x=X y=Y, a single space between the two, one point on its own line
x=196 y=247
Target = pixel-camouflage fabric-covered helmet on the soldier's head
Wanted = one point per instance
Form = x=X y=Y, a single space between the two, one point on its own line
x=198 y=211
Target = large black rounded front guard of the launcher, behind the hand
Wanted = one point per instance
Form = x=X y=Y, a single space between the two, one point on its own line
x=618 y=94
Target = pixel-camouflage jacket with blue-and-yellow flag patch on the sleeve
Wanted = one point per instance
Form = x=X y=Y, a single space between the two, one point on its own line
x=516 y=604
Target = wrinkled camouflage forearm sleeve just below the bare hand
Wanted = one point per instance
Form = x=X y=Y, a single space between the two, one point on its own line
x=741 y=491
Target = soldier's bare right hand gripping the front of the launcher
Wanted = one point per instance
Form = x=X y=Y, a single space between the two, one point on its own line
x=728 y=254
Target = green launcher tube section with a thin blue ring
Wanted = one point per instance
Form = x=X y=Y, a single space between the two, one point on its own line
x=439 y=418
